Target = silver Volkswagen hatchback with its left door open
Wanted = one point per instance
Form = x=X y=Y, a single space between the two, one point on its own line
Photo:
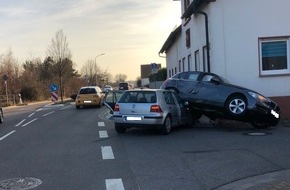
x=141 y=108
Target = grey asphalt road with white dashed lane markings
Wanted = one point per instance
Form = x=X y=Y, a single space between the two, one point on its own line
x=60 y=147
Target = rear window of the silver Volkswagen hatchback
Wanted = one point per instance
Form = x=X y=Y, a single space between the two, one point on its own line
x=138 y=97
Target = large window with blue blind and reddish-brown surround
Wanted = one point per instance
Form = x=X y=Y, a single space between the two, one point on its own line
x=274 y=56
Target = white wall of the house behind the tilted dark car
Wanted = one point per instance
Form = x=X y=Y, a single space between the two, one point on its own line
x=234 y=29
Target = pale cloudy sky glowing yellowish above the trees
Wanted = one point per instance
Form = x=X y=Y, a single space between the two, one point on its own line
x=130 y=33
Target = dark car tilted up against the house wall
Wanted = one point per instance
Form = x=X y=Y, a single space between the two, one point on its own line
x=211 y=95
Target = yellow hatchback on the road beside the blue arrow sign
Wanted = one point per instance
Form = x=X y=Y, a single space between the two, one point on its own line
x=89 y=96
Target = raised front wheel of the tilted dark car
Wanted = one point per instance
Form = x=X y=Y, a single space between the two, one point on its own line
x=236 y=106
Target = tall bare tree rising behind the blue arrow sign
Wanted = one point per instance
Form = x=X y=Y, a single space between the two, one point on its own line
x=61 y=55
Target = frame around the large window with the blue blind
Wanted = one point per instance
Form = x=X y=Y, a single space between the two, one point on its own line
x=278 y=71
